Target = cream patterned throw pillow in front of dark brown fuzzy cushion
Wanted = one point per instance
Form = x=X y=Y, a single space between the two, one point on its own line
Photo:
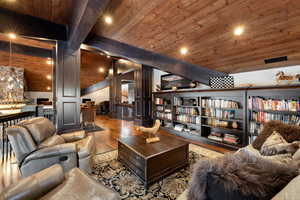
x=271 y=144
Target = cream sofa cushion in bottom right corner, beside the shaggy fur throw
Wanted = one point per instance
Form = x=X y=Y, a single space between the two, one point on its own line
x=290 y=192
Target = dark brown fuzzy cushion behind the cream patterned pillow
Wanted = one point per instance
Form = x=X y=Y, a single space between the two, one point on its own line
x=289 y=132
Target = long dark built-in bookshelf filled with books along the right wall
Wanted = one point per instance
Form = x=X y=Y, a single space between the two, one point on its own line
x=229 y=118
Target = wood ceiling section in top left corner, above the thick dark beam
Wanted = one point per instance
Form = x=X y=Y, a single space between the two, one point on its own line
x=57 y=11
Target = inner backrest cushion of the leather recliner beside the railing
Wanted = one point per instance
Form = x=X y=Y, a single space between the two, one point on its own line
x=40 y=128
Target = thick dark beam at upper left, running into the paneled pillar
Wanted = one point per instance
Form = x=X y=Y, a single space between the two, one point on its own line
x=30 y=26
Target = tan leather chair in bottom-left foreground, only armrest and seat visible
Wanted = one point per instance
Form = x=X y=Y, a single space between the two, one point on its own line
x=53 y=184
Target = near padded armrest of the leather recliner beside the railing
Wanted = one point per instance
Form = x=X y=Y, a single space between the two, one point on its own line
x=53 y=151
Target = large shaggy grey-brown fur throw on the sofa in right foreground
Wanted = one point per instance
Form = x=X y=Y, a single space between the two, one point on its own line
x=240 y=173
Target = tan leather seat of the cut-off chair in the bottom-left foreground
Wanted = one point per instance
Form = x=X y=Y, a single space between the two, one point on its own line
x=79 y=185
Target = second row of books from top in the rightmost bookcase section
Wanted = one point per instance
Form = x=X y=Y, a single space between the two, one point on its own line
x=263 y=117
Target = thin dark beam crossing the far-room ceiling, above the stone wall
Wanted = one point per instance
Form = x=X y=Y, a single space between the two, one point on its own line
x=25 y=50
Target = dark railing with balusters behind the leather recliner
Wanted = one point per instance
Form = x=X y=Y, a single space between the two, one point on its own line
x=6 y=121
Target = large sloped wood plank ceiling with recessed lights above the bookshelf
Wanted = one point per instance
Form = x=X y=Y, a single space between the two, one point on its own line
x=205 y=27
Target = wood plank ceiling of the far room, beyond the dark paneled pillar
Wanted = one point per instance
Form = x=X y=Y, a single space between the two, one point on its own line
x=37 y=69
